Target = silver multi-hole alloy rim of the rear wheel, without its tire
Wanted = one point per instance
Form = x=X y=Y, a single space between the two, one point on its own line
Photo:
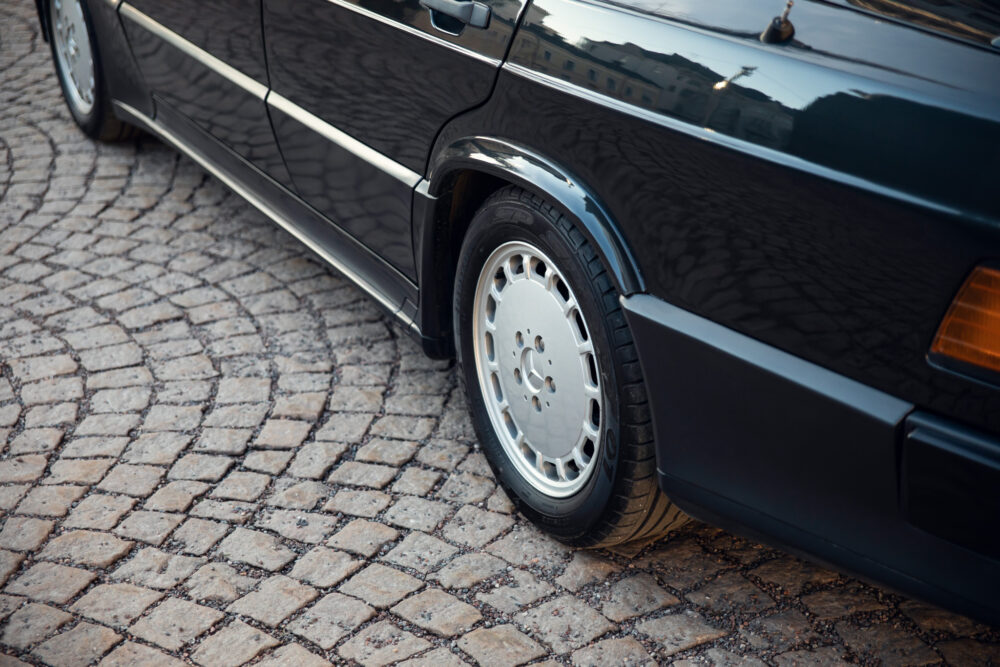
x=537 y=369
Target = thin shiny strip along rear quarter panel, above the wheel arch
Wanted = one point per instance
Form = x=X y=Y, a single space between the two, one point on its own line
x=742 y=145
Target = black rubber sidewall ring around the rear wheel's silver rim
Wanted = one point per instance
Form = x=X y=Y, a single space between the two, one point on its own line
x=499 y=221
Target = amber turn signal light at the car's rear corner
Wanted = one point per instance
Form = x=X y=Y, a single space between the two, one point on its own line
x=970 y=331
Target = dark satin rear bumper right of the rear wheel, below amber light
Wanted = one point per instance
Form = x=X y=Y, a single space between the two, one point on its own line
x=764 y=443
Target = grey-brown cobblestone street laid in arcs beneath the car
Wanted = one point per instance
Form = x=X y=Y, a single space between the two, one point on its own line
x=217 y=450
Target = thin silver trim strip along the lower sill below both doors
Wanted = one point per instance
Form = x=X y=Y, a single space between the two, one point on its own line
x=264 y=208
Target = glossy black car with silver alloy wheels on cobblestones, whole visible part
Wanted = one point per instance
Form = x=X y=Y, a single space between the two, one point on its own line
x=730 y=259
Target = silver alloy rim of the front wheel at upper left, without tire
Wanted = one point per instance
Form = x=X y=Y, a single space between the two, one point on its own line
x=74 y=53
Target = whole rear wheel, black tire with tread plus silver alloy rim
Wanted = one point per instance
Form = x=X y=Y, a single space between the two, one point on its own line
x=599 y=493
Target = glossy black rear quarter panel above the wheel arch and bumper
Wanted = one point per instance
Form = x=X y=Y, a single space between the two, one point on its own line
x=833 y=250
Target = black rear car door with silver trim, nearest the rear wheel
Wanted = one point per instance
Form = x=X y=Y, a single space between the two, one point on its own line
x=359 y=90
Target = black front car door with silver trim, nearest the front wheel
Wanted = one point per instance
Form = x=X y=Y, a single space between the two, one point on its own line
x=205 y=61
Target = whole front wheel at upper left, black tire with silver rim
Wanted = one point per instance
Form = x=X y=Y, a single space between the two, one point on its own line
x=89 y=102
